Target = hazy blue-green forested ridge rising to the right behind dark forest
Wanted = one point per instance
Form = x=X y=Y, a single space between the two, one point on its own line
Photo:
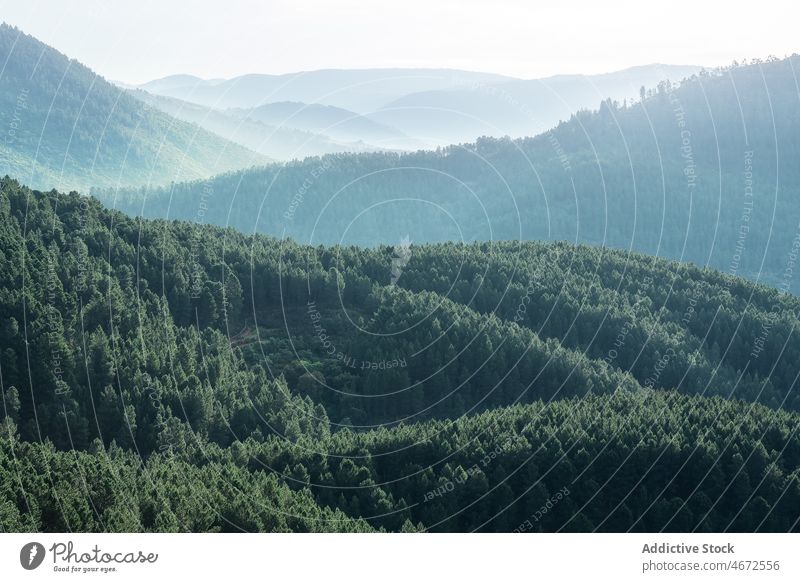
x=699 y=172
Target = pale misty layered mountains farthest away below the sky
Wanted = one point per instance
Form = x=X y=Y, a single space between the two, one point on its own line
x=403 y=109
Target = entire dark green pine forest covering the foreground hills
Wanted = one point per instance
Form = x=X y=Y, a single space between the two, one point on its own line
x=170 y=376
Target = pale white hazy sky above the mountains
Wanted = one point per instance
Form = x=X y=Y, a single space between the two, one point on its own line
x=135 y=41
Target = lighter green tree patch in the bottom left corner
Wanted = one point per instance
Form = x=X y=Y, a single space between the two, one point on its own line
x=112 y=490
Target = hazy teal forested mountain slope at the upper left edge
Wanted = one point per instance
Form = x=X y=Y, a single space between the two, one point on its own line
x=66 y=127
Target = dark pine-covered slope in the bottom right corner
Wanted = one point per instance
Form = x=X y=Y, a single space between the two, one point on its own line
x=641 y=462
